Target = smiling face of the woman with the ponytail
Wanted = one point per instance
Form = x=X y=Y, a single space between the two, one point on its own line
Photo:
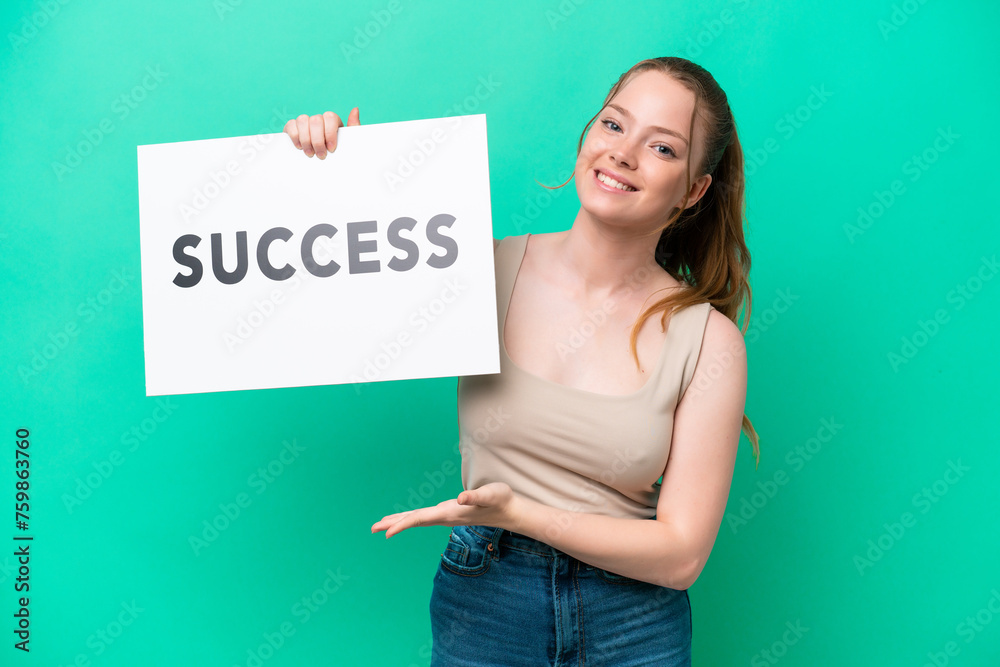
x=632 y=166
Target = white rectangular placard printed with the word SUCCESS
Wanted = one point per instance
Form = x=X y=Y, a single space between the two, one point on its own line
x=373 y=264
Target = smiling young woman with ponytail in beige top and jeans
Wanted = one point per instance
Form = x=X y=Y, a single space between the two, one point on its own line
x=566 y=547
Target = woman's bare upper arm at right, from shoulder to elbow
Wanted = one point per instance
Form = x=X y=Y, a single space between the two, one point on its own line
x=706 y=434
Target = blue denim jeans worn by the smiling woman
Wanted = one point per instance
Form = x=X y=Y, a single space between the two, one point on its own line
x=505 y=599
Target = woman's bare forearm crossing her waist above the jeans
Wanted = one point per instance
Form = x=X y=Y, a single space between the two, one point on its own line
x=644 y=549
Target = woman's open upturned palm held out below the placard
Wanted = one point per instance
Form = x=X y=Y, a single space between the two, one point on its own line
x=493 y=504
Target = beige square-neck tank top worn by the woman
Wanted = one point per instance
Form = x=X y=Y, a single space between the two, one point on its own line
x=571 y=448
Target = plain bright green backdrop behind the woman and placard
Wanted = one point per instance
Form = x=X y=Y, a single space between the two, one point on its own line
x=833 y=301
